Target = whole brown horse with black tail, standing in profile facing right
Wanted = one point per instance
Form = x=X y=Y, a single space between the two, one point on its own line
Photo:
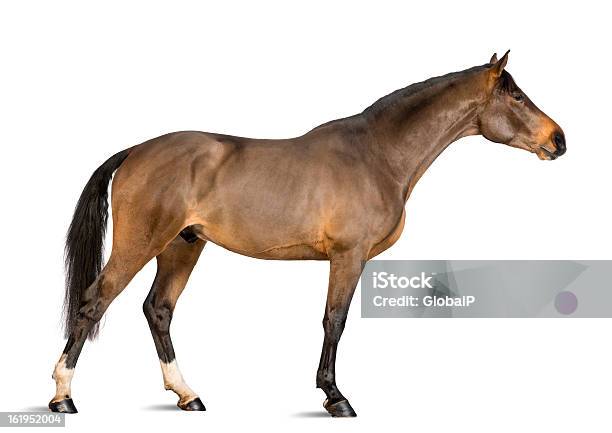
x=336 y=193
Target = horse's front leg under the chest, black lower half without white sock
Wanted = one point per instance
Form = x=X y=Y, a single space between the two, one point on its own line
x=345 y=269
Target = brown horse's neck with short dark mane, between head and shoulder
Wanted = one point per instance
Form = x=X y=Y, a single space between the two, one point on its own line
x=413 y=127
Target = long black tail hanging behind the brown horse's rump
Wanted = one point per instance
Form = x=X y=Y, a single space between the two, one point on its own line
x=85 y=240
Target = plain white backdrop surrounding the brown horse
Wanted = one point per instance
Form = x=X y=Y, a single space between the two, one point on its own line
x=81 y=82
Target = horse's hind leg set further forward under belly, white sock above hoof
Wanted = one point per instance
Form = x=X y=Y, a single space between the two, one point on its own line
x=174 y=265
